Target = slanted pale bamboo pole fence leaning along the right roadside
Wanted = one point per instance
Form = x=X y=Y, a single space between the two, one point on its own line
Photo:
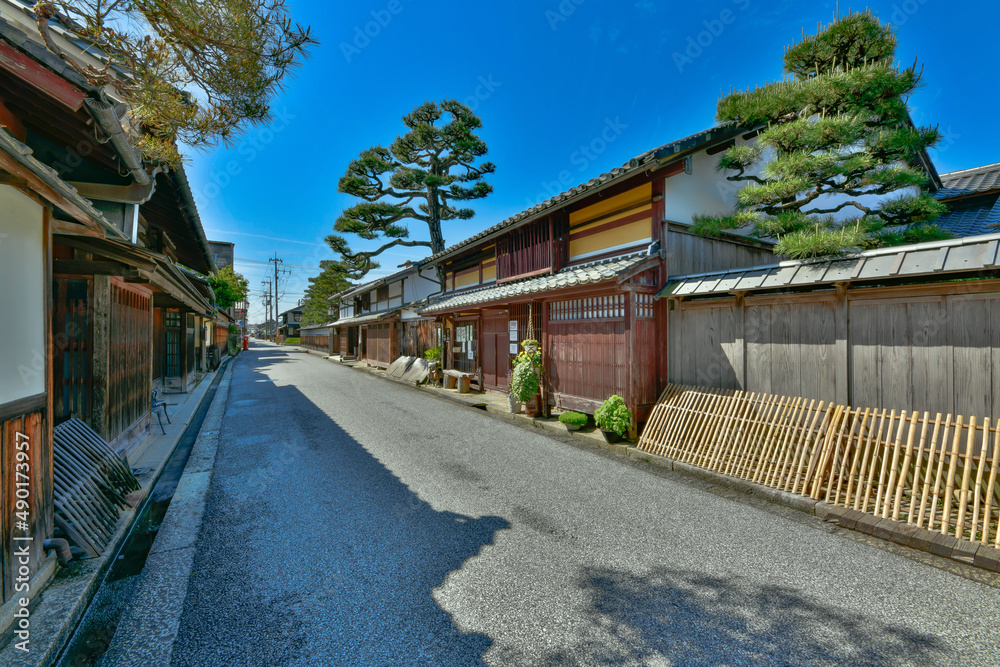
x=936 y=473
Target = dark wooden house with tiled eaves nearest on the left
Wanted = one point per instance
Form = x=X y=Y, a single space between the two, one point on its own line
x=91 y=239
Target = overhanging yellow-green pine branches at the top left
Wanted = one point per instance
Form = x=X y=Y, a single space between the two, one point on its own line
x=199 y=72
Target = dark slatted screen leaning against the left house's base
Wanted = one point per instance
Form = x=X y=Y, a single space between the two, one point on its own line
x=91 y=483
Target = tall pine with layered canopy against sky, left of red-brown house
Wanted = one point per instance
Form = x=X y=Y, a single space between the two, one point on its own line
x=433 y=166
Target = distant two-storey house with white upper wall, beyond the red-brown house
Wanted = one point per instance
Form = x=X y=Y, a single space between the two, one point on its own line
x=379 y=320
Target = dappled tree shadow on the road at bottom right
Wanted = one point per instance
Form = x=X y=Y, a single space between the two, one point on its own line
x=683 y=617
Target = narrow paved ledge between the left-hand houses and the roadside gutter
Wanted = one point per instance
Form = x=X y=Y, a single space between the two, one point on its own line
x=63 y=602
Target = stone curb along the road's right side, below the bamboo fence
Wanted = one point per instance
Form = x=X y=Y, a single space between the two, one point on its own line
x=921 y=539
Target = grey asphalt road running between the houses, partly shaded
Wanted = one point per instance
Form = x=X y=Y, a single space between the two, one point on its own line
x=354 y=521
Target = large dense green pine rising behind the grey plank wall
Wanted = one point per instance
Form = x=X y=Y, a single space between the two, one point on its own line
x=835 y=135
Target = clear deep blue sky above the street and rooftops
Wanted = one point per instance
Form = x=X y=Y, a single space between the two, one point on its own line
x=566 y=90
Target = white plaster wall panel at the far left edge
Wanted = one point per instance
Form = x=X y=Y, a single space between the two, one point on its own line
x=22 y=296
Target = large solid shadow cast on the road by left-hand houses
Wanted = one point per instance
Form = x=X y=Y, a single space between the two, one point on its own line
x=312 y=552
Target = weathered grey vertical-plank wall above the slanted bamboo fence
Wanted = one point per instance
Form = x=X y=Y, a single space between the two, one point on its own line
x=913 y=347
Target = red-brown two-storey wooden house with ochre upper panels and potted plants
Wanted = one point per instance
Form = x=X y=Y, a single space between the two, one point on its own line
x=578 y=272
